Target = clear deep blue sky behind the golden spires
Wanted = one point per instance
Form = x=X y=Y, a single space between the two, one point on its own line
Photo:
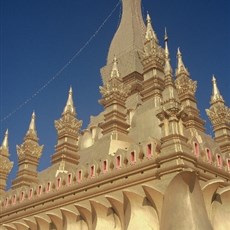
x=39 y=37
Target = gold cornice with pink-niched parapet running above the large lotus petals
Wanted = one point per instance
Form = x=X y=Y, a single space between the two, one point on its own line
x=61 y=195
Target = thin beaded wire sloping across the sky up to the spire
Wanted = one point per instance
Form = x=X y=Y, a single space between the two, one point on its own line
x=77 y=53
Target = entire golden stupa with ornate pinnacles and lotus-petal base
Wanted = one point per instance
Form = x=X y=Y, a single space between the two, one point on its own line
x=145 y=162
